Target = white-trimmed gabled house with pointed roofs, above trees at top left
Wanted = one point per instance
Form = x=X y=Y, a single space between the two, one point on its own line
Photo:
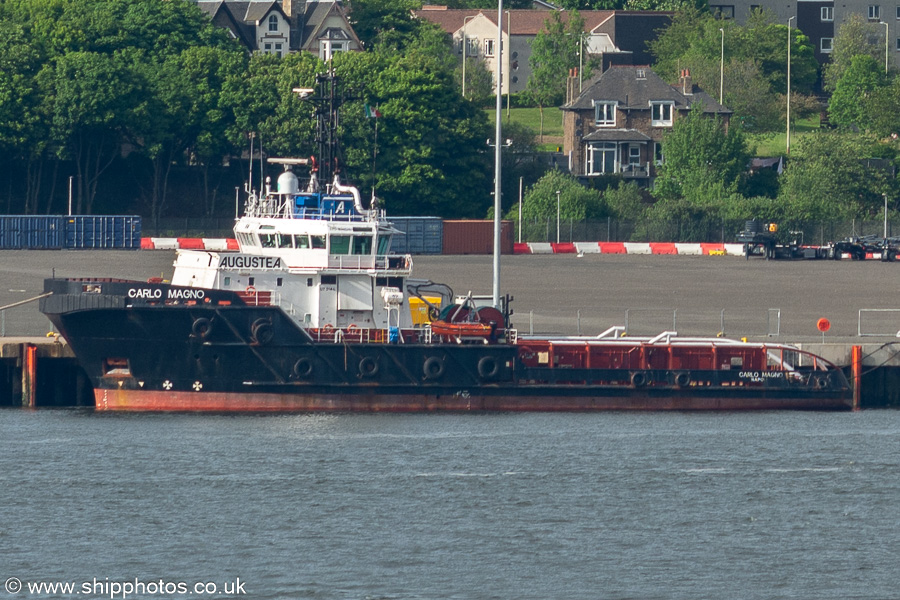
x=279 y=27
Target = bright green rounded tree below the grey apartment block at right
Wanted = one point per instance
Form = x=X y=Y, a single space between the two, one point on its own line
x=848 y=102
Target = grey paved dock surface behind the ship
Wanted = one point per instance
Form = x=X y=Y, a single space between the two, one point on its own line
x=758 y=297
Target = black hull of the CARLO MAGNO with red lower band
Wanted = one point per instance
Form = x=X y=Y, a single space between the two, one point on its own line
x=234 y=357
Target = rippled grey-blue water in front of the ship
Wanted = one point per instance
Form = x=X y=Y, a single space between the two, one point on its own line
x=569 y=506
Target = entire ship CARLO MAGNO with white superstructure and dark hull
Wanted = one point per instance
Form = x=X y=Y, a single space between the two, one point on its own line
x=313 y=313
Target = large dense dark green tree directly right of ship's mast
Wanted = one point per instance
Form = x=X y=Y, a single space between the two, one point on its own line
x=432 y=158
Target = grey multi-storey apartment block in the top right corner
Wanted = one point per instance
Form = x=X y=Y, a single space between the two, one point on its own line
x=820 y=20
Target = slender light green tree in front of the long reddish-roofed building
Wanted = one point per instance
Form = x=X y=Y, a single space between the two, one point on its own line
x=554 y=52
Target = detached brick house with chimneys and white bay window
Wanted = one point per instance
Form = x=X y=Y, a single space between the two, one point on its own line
x=616 y=125
